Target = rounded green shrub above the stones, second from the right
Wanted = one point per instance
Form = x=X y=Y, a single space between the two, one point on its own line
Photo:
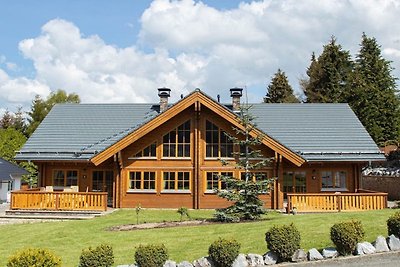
x=346 y=235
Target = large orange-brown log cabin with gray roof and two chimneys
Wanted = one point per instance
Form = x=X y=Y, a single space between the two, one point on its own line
x=166 y=155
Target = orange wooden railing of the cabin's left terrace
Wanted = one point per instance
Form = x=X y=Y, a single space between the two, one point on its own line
x=39 y=200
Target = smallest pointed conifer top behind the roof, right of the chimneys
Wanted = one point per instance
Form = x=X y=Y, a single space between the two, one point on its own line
x=279 y=90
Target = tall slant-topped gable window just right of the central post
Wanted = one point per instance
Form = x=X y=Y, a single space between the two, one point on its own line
x=210 y=144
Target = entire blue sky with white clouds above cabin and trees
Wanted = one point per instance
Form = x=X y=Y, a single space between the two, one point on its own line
x=122 y=51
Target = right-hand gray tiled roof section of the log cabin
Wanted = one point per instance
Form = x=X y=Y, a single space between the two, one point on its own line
x=317 y=132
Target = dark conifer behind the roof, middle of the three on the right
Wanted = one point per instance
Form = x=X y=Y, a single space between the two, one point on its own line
x=328 y=75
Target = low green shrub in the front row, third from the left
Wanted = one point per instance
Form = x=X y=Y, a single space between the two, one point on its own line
x=151 y=255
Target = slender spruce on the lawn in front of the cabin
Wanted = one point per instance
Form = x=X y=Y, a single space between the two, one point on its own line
x=244 y=193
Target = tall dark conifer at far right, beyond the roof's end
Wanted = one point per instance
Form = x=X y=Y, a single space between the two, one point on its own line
x=372 y=92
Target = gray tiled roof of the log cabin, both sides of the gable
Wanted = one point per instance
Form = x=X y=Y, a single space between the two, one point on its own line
x=317 y=132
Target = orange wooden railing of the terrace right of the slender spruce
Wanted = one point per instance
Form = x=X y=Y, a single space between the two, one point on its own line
x=336 y=202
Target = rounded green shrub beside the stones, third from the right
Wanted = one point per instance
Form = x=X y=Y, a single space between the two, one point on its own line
x=284 y=240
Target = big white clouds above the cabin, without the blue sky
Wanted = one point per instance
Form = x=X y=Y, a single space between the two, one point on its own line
x=195 y=45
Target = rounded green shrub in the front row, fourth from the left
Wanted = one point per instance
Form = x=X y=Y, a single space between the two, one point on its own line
x=223 y=252
